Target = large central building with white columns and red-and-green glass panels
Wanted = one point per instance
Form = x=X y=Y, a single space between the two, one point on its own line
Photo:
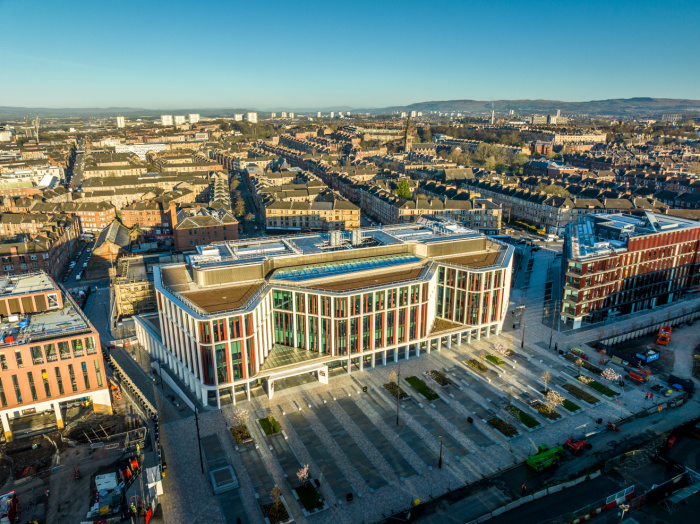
x=251 y=313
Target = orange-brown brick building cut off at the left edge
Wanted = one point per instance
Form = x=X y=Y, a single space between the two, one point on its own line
x=49 y=352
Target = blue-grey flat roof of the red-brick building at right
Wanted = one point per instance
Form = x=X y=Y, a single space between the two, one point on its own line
x=606 y=234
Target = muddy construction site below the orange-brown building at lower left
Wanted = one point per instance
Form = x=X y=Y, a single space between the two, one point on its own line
x=89 y=471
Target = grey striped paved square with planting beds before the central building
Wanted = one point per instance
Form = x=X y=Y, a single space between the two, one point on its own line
x=366 y=466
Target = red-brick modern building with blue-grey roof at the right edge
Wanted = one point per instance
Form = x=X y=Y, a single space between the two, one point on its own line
x=617 y=264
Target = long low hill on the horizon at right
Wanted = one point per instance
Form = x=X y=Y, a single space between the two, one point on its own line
x=612 y=107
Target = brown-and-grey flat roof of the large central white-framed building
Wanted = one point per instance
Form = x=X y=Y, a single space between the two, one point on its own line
x=227 y=276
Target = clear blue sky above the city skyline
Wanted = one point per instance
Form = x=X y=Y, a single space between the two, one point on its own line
x=276 y=55
